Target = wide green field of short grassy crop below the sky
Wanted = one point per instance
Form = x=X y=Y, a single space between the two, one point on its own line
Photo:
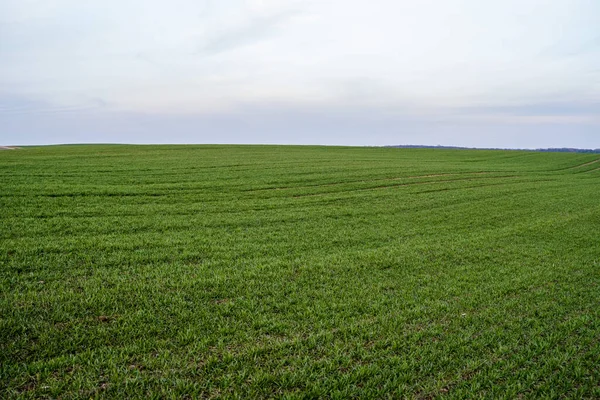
x=298 y=272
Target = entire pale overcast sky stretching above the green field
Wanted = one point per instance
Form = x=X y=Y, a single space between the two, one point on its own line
x=481 y=73
